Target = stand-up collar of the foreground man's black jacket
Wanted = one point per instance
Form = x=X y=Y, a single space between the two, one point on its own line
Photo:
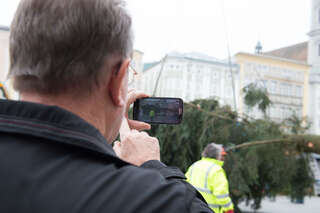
x=51 y=122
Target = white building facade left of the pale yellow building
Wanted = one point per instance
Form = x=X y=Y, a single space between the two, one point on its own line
x=190 y=77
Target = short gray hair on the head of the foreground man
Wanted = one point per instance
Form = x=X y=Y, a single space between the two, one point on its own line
x=58 y=45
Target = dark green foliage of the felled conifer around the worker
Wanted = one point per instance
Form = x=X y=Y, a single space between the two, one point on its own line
x=253 y=172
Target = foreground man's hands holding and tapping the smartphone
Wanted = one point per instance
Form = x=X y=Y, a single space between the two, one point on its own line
x=136 y=147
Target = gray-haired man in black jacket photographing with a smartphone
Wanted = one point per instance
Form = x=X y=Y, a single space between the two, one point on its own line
x=69 y=61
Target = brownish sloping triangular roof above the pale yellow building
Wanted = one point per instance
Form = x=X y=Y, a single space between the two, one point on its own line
x=296 y=52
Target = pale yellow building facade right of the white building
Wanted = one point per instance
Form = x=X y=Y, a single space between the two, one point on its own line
x=286 y=82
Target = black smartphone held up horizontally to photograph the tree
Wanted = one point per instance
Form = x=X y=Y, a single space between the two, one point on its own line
x=158 y=110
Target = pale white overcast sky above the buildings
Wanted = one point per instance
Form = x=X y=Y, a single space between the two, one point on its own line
x=203 y=26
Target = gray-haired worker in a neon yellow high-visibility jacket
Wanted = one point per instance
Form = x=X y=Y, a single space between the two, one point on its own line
x=209 y=178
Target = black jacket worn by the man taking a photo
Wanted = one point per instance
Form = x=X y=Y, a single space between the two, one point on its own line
x=53 y=161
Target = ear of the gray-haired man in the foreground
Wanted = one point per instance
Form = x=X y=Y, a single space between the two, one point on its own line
x=118 y=83
